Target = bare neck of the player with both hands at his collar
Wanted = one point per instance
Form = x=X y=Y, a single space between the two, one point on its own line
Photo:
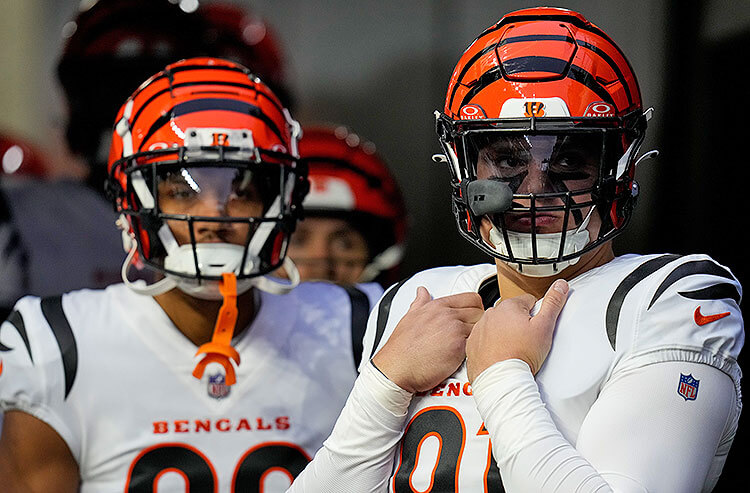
x=512 y=283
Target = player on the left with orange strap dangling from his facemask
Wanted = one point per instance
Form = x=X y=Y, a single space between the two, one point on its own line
x=216 y=377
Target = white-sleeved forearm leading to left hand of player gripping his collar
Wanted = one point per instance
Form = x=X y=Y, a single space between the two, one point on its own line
x=358 y=455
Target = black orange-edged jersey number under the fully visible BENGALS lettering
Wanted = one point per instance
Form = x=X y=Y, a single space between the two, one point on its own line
x=200 y=475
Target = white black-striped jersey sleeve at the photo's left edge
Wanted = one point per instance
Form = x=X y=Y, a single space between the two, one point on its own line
x=37 y=355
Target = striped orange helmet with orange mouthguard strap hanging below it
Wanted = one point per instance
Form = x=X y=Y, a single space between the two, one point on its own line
x=203 y=169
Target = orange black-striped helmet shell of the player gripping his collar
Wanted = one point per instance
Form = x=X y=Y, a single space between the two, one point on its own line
x=541 y=53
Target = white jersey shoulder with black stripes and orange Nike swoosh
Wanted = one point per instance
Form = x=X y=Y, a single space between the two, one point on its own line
x=686 y=308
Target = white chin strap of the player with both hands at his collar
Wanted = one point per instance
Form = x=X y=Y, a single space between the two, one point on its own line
x=548 y=246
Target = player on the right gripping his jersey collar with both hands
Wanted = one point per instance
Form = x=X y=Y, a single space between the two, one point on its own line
x=622 y=377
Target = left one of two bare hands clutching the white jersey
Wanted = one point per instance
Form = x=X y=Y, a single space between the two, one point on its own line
x=429 y=343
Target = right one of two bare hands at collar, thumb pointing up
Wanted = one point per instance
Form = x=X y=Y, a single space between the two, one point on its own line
x=508 y=331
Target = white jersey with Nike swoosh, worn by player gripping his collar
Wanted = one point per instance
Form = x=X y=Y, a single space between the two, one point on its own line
x=629 y=313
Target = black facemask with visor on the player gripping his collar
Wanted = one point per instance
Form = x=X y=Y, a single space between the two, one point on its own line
x=519 y=183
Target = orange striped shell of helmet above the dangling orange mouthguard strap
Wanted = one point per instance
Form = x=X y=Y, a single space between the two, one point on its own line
x=198 y=92
